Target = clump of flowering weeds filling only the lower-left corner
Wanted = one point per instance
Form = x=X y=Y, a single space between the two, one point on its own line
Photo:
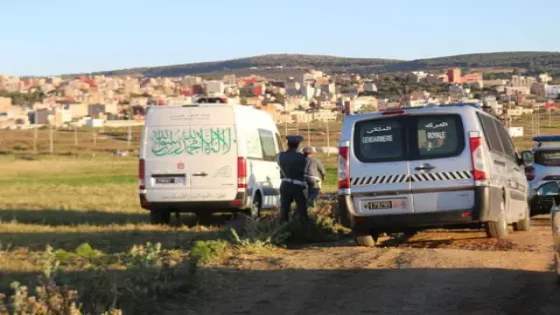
x=151 y=275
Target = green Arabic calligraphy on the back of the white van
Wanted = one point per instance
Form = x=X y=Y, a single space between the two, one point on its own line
x=166 y=142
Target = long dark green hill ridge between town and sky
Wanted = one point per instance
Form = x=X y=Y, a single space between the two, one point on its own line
x=287 y=64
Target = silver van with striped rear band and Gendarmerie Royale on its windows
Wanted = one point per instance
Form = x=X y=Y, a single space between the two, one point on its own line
x=409 y=169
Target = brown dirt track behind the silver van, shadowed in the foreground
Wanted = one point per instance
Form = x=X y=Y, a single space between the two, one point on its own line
x=435 y=272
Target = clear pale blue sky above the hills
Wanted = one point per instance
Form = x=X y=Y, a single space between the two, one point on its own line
x=41 y=37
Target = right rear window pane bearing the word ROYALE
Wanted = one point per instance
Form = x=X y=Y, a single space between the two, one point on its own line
x=439 y=136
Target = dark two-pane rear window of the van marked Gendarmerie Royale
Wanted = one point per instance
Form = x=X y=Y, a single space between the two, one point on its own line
x=409 y=138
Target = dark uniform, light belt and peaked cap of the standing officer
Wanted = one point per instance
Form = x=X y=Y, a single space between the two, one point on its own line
x=293 y=188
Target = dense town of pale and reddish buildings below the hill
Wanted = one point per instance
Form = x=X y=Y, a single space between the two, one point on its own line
x=311 y=96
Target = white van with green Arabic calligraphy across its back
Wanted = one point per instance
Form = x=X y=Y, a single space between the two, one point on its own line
x=208 y=157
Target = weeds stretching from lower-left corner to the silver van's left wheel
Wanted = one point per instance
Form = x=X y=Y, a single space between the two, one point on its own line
x=142 y=279
